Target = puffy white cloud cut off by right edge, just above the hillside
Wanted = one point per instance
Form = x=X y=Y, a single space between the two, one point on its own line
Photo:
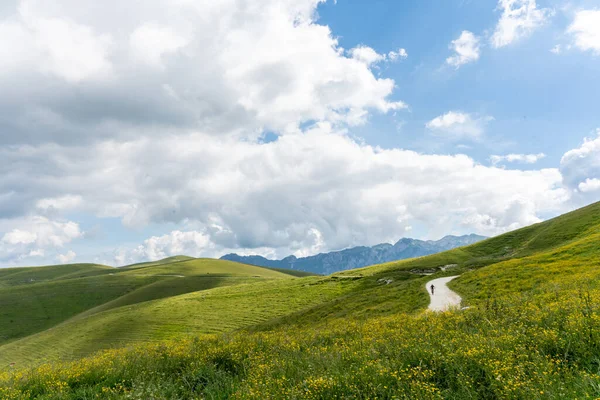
x=580 y=166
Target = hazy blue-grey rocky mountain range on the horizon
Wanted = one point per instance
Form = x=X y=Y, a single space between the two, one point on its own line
x=361 y=256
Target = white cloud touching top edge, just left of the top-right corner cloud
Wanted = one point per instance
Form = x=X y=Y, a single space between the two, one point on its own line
x=519 y=18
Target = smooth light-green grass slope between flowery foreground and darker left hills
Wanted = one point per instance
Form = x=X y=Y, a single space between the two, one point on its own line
x=210 y=311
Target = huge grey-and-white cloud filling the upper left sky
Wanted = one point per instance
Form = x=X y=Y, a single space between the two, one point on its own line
x=72 y=73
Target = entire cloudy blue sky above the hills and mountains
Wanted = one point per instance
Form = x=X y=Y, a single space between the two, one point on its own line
x=133 y=131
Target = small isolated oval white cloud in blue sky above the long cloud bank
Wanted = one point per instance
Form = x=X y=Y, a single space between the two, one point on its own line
x=457 y=125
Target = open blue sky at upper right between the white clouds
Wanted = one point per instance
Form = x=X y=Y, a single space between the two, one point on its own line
x=541 y=102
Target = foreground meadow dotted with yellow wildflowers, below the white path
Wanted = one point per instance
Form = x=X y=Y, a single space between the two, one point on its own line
x=539 y=346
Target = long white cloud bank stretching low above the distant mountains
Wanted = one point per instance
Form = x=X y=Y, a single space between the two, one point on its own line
x=320 y=189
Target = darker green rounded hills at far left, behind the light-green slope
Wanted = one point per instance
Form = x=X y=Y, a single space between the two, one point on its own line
x=36 y=299
